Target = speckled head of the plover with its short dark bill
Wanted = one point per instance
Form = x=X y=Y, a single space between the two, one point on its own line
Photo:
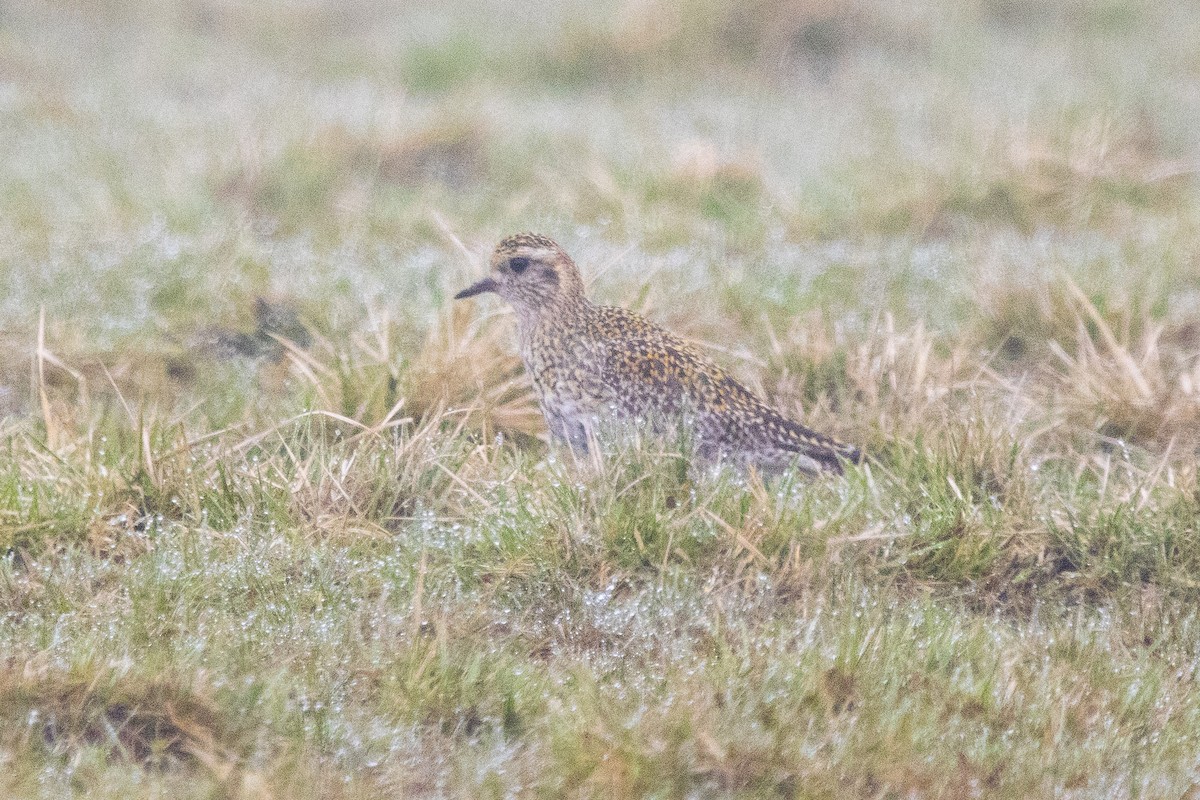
x=533 y=274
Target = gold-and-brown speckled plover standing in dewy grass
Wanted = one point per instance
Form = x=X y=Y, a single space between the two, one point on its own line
x=593 y=366
